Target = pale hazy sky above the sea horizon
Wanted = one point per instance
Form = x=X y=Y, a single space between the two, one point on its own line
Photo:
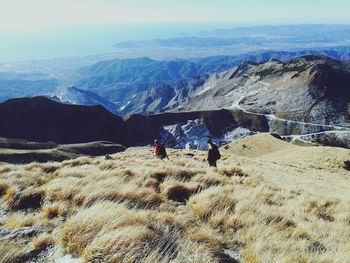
x=45 y=14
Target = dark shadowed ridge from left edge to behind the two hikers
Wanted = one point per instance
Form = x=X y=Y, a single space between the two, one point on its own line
x=42 y=119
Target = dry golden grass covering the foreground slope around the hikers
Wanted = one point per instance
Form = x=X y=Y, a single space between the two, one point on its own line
x=267 y=202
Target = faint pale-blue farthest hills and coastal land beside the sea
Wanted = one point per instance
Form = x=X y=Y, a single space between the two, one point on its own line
x=236 y=41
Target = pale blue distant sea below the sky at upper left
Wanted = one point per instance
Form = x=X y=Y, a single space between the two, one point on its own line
x=84 y=40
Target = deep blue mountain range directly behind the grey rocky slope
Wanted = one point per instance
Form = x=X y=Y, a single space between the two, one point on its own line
x=120 y=80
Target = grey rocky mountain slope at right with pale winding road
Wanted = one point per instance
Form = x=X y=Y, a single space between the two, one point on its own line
x=308 y=89
